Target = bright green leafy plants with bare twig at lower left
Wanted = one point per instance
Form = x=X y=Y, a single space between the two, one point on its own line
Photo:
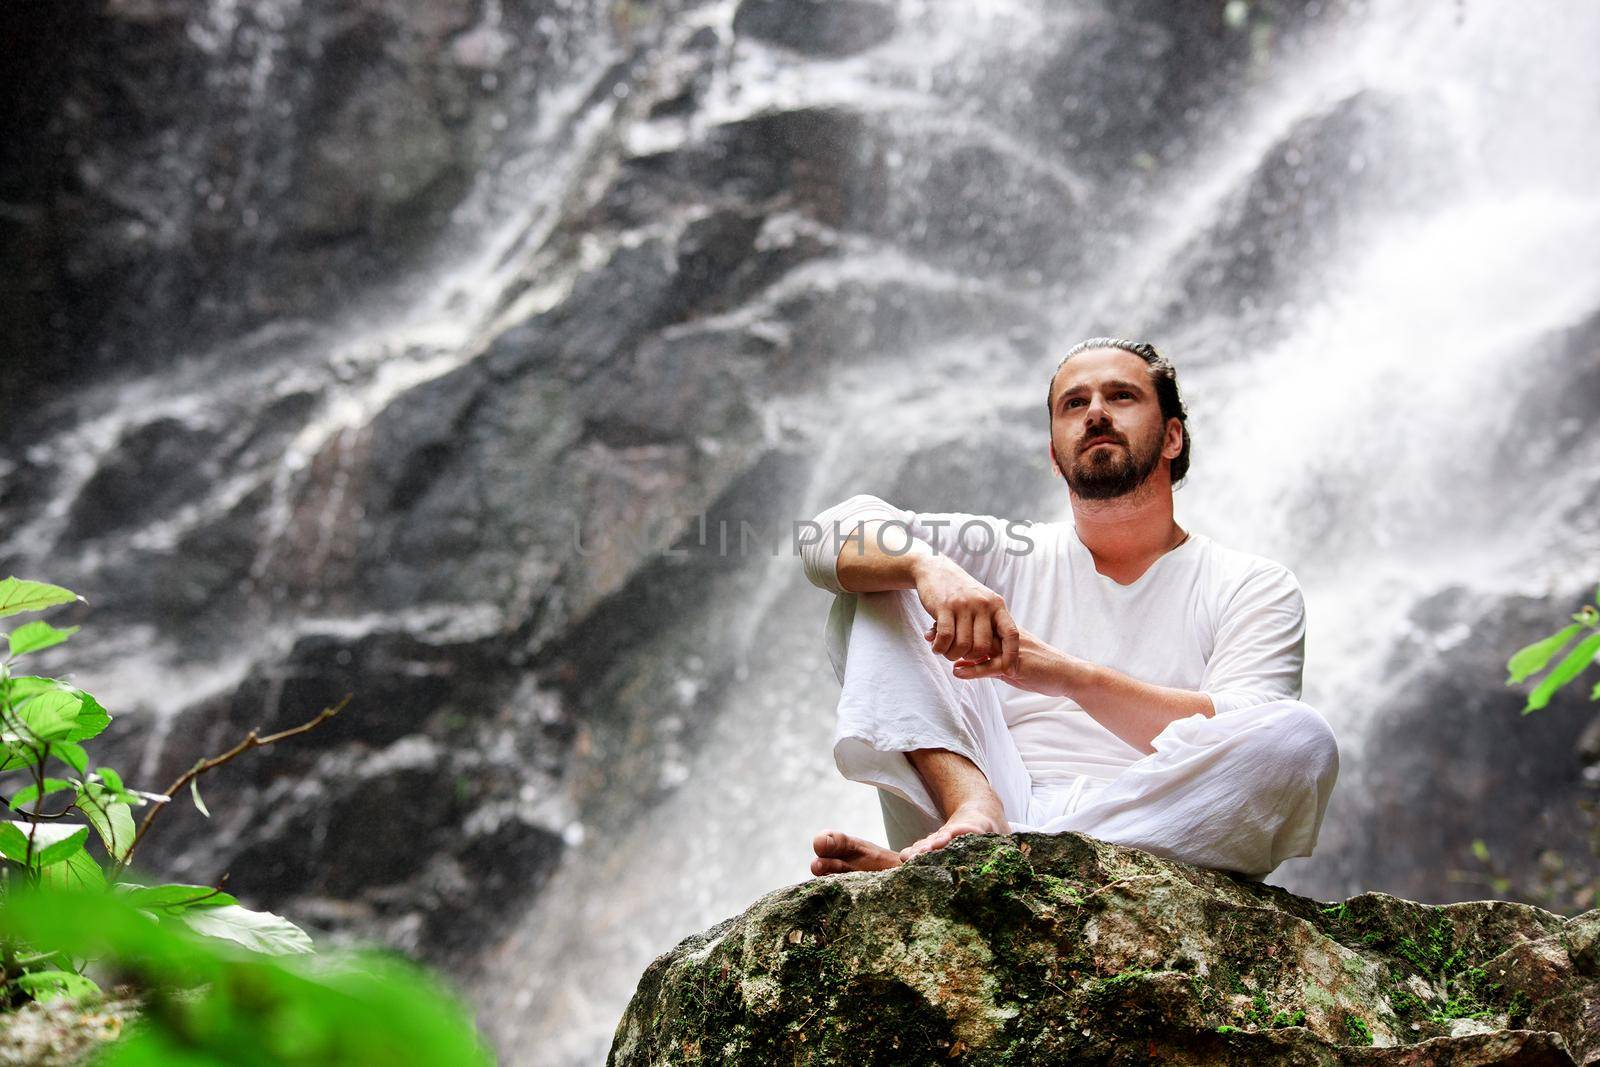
x=220 y=983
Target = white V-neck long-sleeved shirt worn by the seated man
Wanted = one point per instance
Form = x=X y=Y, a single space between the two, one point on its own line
x=1202 y=617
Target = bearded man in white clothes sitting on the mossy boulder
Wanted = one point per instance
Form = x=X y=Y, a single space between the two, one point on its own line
x=1151 y=700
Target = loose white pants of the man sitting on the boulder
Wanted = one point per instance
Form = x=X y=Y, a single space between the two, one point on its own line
x=1242 y=791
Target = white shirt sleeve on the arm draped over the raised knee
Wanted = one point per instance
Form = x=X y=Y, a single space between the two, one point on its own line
x=978 y=545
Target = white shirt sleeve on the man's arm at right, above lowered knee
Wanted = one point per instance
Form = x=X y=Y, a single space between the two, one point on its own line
x=1260 y=652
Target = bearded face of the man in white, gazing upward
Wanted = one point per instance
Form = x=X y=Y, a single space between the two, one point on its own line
x=1106 y=428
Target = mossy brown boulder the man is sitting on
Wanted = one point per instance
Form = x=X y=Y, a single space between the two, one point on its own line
x=1066 y=949
